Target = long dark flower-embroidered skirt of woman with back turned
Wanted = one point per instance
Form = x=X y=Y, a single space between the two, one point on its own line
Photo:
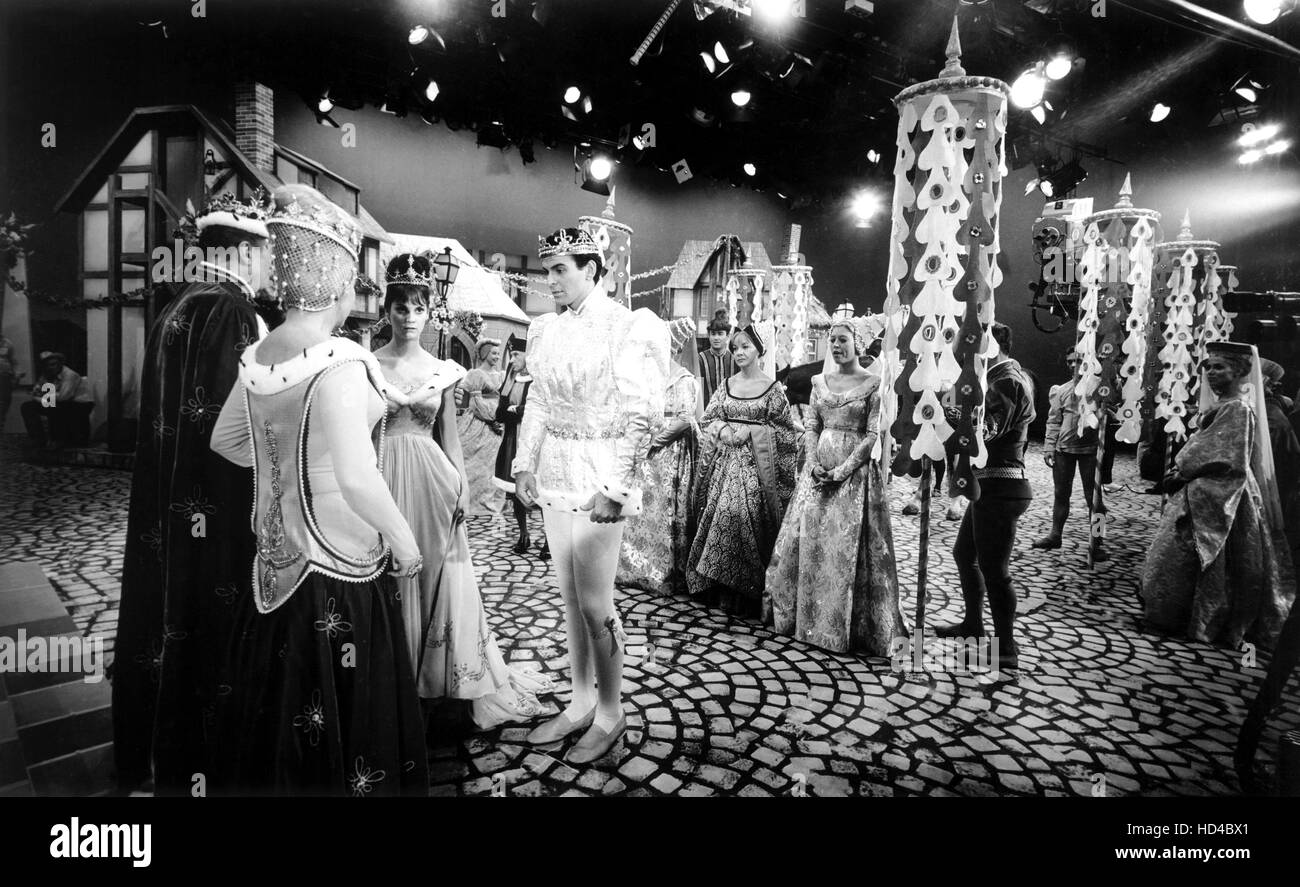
x=322 y=696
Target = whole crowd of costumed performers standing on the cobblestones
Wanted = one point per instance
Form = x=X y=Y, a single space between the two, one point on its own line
x=302 y=657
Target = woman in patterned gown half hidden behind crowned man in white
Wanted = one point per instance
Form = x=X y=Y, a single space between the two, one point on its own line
x=657 y=544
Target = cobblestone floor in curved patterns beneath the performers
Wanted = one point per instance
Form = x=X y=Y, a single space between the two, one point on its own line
x=729 y=708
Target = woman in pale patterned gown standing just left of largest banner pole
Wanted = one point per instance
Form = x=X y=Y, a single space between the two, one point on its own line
x=833 y=581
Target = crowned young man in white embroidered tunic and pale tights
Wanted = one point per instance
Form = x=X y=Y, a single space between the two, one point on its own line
x=599 y=375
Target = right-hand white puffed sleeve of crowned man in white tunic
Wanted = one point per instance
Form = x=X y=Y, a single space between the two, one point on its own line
x=640 y=370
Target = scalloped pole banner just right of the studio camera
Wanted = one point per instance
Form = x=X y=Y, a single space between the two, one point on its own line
x=1115 y=313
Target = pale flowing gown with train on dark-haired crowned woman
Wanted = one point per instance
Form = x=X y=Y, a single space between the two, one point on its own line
x=452 y=646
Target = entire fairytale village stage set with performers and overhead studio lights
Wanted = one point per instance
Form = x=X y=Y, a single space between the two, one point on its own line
x=664 y=399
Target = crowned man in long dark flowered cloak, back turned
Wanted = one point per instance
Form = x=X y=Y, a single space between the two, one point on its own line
x=188 y=539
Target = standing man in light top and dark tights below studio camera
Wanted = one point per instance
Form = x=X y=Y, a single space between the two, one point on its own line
x=1067 y=447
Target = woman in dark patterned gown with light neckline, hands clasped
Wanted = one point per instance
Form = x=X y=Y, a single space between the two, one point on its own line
x=746 y=477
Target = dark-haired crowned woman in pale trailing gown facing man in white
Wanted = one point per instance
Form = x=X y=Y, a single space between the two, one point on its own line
x=452 y=646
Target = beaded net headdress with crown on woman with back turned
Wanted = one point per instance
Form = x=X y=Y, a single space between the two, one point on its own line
x=315 y=248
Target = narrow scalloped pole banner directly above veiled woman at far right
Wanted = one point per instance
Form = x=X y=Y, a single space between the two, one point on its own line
x=1186 y=261
